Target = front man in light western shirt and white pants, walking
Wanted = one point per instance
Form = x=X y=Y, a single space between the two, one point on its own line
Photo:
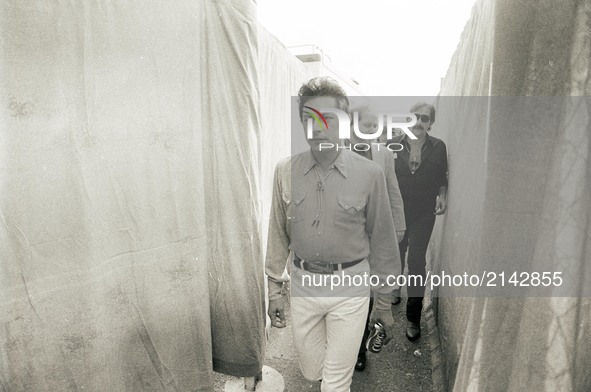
x=330 y=216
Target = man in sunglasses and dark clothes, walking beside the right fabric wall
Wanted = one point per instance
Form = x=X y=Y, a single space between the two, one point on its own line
x=421 y=169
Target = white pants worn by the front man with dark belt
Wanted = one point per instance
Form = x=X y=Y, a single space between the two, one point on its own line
x=327 y=332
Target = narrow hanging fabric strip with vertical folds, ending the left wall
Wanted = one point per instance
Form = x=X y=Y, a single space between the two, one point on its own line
x=230 y=125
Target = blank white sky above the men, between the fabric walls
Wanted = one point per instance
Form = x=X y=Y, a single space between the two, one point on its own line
x=391 y=47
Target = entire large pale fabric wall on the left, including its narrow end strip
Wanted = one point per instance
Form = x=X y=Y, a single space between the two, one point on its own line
x=130 y=226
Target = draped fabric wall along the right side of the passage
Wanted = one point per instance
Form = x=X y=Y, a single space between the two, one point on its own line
x=528 y=201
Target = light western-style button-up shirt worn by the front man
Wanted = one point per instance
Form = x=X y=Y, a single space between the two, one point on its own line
x=338 y=218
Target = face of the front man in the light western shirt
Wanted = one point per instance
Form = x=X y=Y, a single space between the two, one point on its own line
x=319 y=132
